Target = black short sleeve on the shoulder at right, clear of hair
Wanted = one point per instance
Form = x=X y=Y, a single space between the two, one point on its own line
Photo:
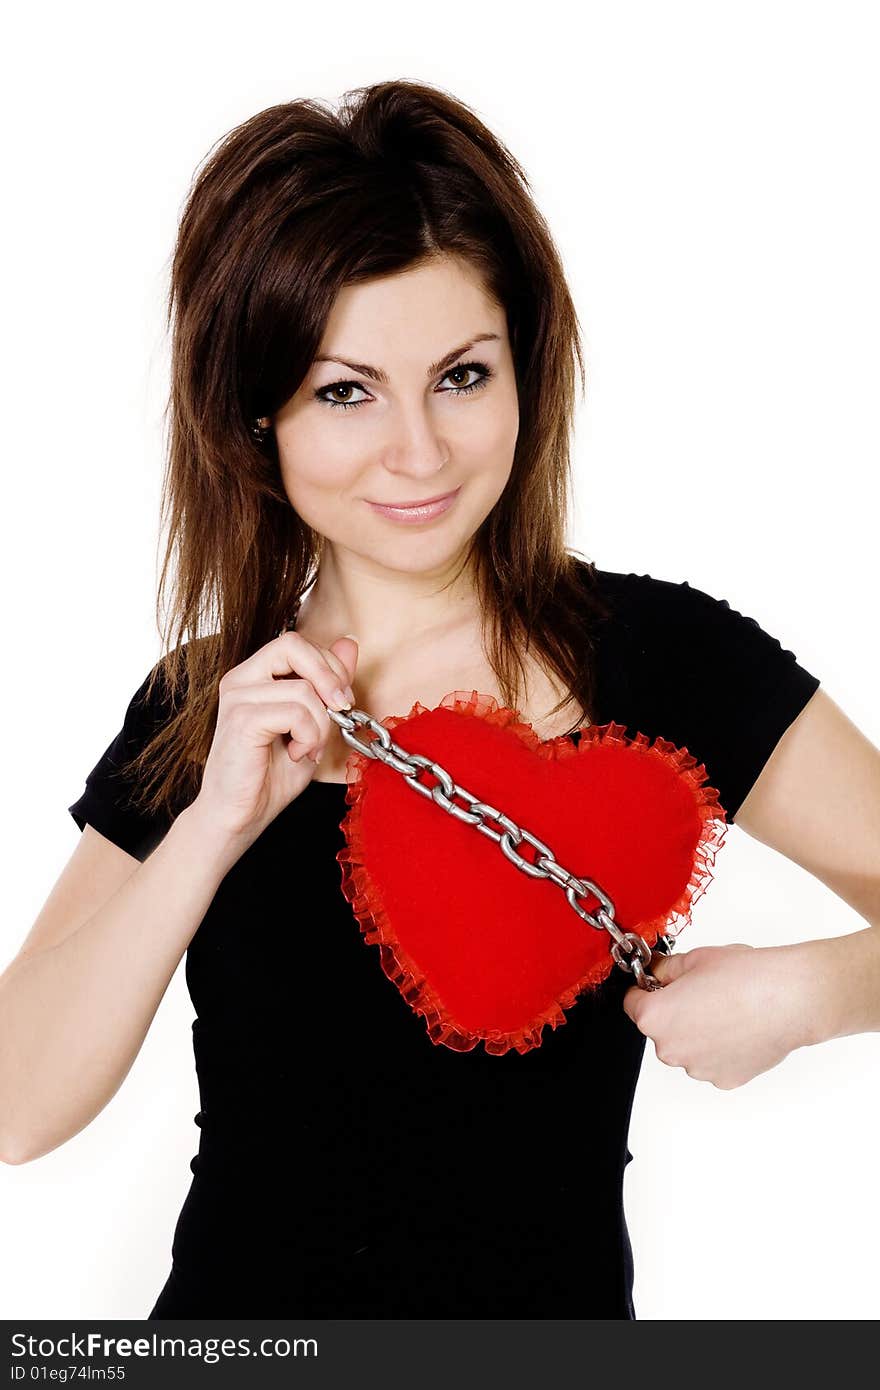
x=715 y=680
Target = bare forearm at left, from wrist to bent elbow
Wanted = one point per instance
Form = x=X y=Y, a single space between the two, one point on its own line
x=74 y=1017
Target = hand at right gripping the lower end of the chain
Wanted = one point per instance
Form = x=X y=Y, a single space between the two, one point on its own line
x=725 y=1014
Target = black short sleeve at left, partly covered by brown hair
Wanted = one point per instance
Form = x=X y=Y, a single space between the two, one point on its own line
x=106 y=801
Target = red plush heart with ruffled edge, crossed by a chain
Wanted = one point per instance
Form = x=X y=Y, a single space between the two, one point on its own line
x=482 y=950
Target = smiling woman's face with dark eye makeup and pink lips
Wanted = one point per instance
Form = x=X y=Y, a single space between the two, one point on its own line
x=384 y=425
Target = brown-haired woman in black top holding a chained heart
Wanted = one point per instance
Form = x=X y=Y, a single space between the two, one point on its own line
x=370 y=315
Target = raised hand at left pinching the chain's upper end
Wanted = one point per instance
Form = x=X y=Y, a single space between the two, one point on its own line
x=269 y=732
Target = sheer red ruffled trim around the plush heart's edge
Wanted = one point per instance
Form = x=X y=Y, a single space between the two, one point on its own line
x=362 y=893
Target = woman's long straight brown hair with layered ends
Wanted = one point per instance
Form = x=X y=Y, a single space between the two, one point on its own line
x=288 y=209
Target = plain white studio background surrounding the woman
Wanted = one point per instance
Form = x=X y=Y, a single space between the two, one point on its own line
x=710 y=173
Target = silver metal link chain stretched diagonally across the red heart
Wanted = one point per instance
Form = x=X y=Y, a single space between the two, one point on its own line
x=630 y=951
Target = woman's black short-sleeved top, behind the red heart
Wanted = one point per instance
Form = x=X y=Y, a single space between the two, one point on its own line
x=348 y=1166
